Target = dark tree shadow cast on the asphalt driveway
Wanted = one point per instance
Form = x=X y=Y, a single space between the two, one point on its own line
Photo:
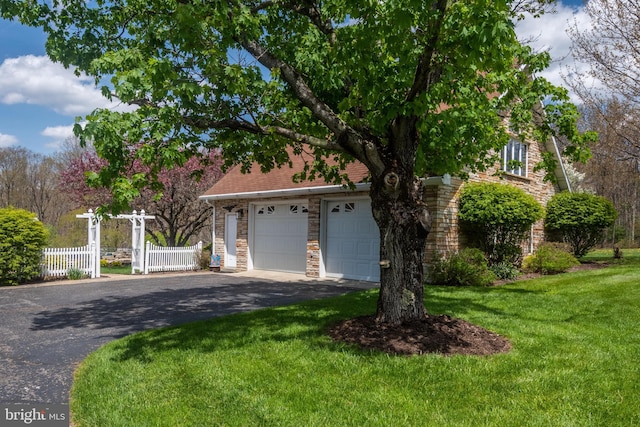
x=118 y=316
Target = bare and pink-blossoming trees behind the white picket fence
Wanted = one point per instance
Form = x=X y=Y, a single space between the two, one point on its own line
x=54 y=187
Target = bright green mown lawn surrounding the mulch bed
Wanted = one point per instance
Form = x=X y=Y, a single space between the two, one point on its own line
x=574 y=362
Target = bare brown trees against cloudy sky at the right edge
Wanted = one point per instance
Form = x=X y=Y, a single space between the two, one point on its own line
x=610 y=95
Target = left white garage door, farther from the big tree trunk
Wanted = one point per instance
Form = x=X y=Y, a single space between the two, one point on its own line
x=280 y=237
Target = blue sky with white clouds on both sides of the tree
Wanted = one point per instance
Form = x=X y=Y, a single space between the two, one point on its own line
x=40 y=100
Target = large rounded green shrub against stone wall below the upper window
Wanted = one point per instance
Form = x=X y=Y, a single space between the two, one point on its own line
x=497 y=218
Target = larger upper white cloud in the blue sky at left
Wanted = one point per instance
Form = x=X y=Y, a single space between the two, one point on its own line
x=37 y=80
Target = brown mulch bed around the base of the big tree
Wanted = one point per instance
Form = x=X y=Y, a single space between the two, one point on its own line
x=435 y=334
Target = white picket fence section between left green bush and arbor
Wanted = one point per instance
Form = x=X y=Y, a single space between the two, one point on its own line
x=56 y=262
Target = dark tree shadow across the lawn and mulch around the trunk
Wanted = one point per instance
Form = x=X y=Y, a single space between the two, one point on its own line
x=315 y=321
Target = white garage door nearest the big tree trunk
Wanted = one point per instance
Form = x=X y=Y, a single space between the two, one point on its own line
x=353 y=241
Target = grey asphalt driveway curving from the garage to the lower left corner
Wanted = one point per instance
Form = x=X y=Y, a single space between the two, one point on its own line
x=46 y=330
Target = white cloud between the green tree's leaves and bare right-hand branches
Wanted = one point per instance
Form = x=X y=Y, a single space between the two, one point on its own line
x=549 y=33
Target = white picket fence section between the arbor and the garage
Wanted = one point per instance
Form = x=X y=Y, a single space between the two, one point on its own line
x=161 y=258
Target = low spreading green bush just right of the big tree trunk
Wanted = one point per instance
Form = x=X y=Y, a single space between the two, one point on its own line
x=465 y=268
